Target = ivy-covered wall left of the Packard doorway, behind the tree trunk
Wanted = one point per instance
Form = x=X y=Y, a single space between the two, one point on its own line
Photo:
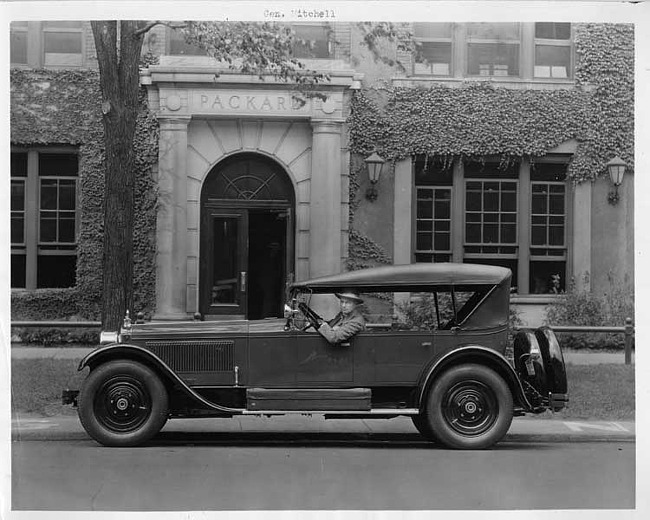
x=62 y=107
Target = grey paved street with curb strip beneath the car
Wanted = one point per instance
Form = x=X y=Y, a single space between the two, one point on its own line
x=302 y=463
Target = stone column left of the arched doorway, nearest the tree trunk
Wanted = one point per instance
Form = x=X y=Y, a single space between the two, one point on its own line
x=171 y=258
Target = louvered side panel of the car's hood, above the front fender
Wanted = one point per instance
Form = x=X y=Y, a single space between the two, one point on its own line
x=195 y=356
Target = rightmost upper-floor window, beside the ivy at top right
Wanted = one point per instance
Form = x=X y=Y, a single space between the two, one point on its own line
x=552 y=50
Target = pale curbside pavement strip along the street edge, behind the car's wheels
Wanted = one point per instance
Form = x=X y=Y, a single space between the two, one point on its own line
x=289 y=428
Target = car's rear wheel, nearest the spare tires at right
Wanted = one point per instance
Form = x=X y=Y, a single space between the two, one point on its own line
x=469 y=407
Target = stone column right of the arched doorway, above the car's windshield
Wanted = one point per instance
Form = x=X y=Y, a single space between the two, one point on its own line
x=325 y=226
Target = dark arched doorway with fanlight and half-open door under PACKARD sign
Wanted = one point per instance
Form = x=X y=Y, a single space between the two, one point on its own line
x=246 y=250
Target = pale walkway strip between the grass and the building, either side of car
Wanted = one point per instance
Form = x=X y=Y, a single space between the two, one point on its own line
x=571 y=357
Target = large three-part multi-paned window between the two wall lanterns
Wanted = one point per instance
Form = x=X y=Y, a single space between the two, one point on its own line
x=475 y=216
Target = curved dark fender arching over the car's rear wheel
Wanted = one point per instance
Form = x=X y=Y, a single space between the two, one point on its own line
x=474 y=354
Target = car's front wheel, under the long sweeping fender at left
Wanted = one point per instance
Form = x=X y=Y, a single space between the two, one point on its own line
x=122 y=403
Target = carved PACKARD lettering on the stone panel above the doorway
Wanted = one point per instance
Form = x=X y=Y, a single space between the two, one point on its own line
x=262 y=103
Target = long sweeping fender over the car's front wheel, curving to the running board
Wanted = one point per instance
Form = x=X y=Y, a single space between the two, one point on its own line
x=121 y=351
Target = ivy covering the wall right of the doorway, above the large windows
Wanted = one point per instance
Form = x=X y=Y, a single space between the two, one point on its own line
x=475 y=119
